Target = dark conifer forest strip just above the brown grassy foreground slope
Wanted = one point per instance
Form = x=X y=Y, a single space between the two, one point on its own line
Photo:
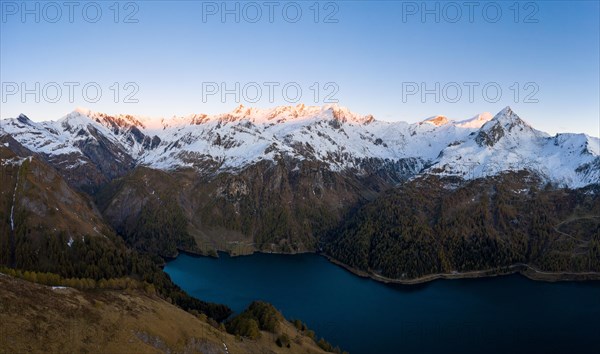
x=100 y=260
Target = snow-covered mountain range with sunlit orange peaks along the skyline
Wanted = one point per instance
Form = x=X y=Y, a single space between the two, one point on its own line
x=93 y=148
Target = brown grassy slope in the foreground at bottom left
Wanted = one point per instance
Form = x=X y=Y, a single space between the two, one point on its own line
x=38 y=319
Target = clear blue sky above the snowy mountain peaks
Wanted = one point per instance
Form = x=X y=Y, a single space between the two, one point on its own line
x=373 y=53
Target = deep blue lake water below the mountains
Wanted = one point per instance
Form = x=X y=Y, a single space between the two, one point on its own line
x=508 y=314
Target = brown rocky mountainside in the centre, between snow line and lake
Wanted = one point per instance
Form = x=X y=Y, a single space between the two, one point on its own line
x=269 y=206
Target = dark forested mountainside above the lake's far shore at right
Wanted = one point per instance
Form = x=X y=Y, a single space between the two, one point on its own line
x=424 y=227
